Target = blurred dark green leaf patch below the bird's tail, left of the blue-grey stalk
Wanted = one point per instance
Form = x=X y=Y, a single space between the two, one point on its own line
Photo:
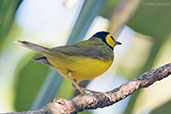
x=28 y=81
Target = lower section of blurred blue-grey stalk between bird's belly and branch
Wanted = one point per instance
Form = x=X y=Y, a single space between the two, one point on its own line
x=49 y=88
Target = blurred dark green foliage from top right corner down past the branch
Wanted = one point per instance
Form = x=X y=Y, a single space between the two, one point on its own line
x=153 y=21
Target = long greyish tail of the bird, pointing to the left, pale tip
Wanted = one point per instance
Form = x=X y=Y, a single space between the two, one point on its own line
x=34 y=47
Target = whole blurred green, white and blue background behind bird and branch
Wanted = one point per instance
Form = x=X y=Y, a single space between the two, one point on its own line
x=143 y=27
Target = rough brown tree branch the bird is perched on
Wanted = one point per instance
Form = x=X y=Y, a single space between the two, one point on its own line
x=86 y=101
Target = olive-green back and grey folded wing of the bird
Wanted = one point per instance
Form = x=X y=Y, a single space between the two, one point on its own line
x=93 y=48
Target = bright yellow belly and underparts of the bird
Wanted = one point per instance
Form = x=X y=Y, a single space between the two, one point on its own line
x=81 y=68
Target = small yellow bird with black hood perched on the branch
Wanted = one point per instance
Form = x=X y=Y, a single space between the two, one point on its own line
x=84 y=60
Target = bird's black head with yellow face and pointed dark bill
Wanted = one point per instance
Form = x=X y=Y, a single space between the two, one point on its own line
x=107 y=38
